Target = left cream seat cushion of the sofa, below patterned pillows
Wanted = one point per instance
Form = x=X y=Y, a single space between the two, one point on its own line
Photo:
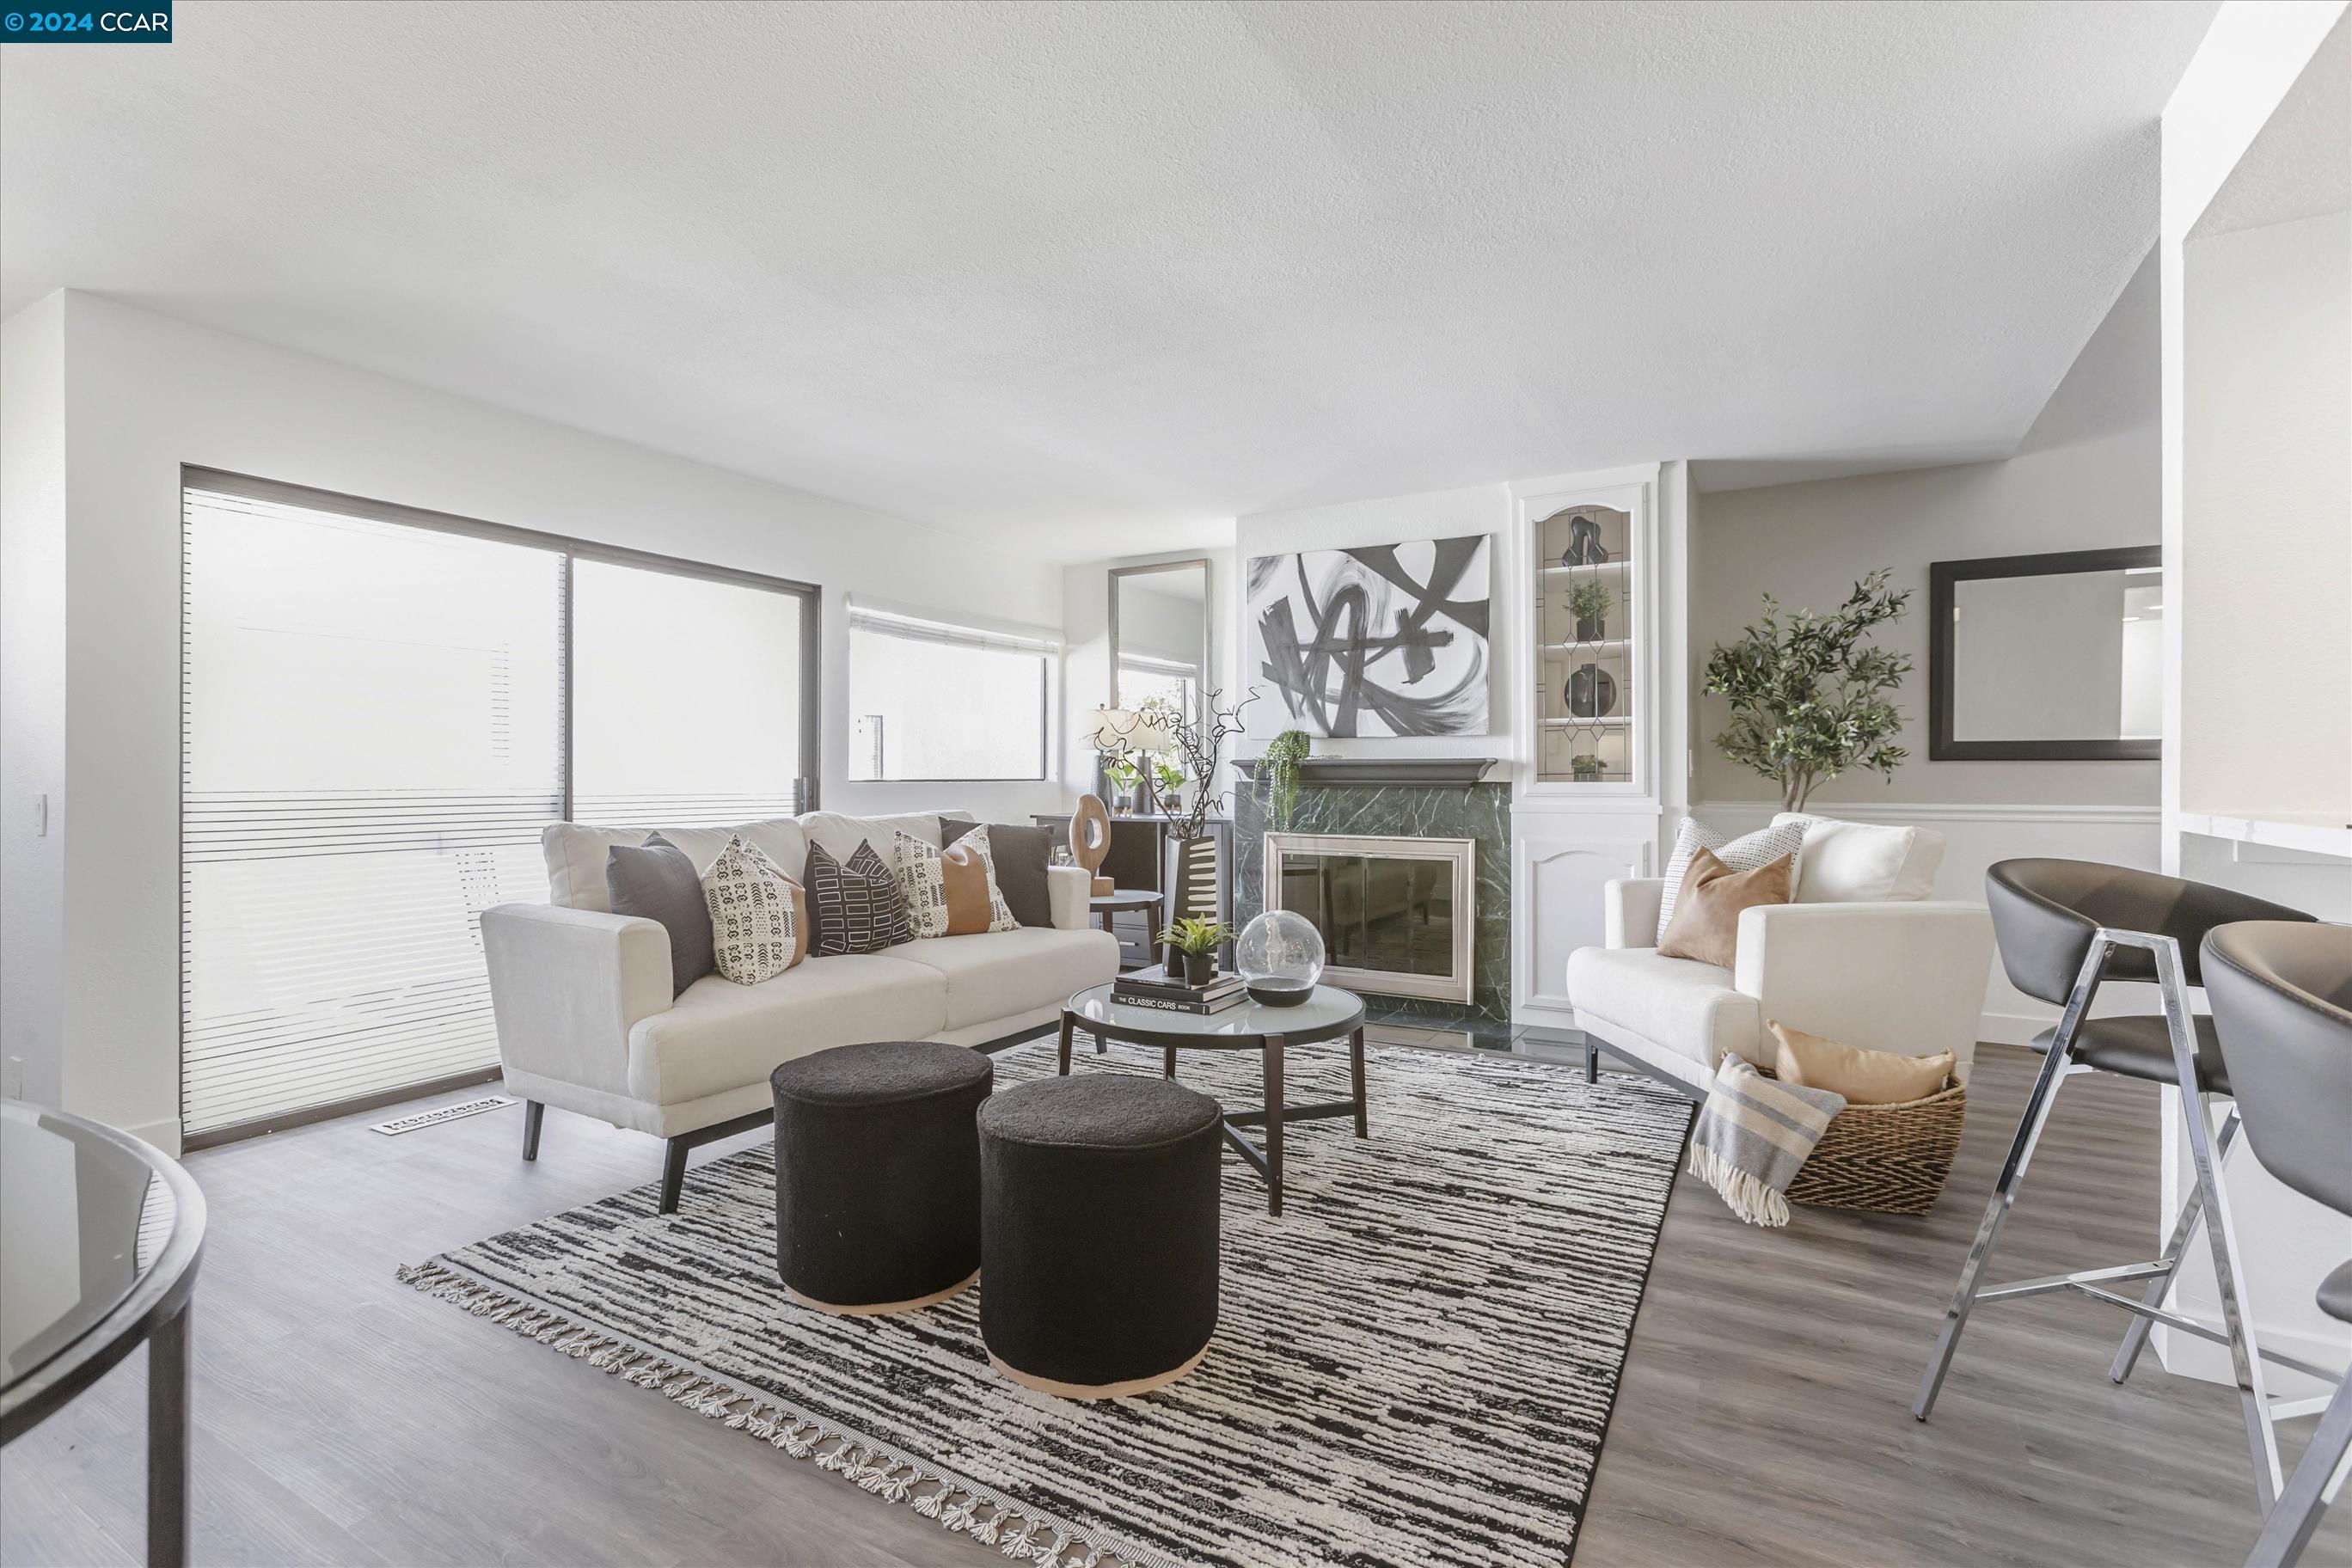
x=721 y=1036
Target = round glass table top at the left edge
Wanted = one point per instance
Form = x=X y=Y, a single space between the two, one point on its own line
x=83 y=1224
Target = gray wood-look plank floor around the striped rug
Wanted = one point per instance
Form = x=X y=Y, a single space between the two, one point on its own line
x=1763 y=1419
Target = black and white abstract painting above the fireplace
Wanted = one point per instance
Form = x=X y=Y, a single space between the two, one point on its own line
x=1382 y=641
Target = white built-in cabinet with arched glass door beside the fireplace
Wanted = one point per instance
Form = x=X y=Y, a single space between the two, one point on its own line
x=1598 y=565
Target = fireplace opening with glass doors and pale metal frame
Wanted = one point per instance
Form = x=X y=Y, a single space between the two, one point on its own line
x=1396 y=913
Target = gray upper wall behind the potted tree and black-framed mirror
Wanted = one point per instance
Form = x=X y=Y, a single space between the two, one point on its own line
x=2087 y=478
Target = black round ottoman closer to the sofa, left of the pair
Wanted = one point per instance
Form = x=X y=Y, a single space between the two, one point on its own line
x=878 y=1174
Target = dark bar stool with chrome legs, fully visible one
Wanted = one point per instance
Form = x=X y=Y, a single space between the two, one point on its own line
x=2064 y=927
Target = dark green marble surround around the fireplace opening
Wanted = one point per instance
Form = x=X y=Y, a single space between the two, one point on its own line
x=1401 y=798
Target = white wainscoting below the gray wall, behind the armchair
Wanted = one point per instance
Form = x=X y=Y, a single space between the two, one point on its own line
x=1982 y=836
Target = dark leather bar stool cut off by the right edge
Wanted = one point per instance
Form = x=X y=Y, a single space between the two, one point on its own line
x=2283 y=1010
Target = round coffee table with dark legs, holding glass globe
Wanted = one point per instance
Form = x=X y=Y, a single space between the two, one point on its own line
x=1248 y=1026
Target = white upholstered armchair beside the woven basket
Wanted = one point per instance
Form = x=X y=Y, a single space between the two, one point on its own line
x=1887 y=977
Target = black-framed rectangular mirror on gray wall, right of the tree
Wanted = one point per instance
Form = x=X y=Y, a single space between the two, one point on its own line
x=2047 y=657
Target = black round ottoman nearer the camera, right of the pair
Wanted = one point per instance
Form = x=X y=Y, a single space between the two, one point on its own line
x=1100 y=1233
